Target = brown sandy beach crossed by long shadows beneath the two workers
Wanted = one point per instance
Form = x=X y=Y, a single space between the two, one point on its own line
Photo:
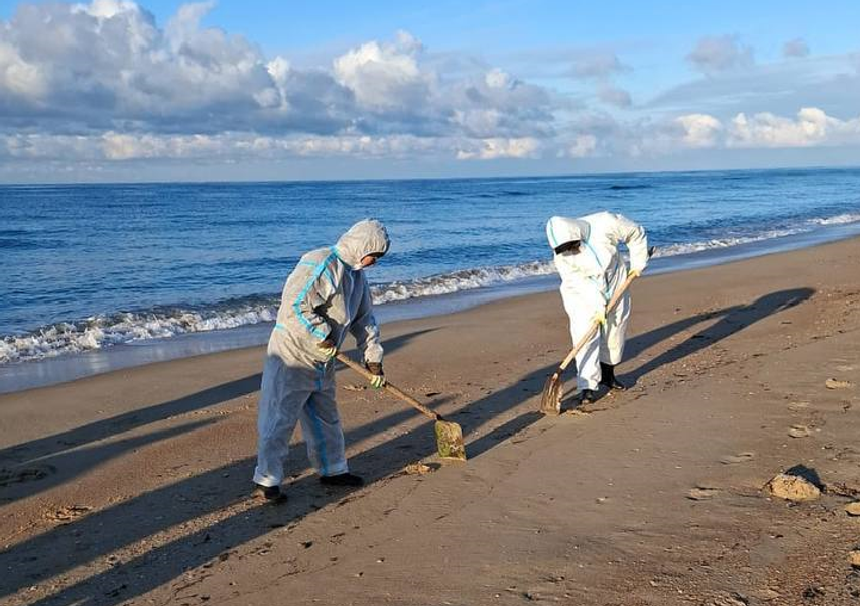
x=131 y=487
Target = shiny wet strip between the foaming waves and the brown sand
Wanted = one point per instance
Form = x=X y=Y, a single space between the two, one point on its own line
x=32 y=374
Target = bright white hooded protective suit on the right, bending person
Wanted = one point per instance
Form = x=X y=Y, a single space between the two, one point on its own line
x=589 y=279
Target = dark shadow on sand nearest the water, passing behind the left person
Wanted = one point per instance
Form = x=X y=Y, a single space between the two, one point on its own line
x=33 y=467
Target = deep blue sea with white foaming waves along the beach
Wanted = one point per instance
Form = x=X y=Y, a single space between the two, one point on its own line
x=88 y=268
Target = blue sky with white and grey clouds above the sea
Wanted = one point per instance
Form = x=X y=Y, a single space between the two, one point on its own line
x=114 y=90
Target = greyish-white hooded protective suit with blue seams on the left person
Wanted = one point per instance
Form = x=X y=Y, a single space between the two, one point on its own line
x=324 y=297
